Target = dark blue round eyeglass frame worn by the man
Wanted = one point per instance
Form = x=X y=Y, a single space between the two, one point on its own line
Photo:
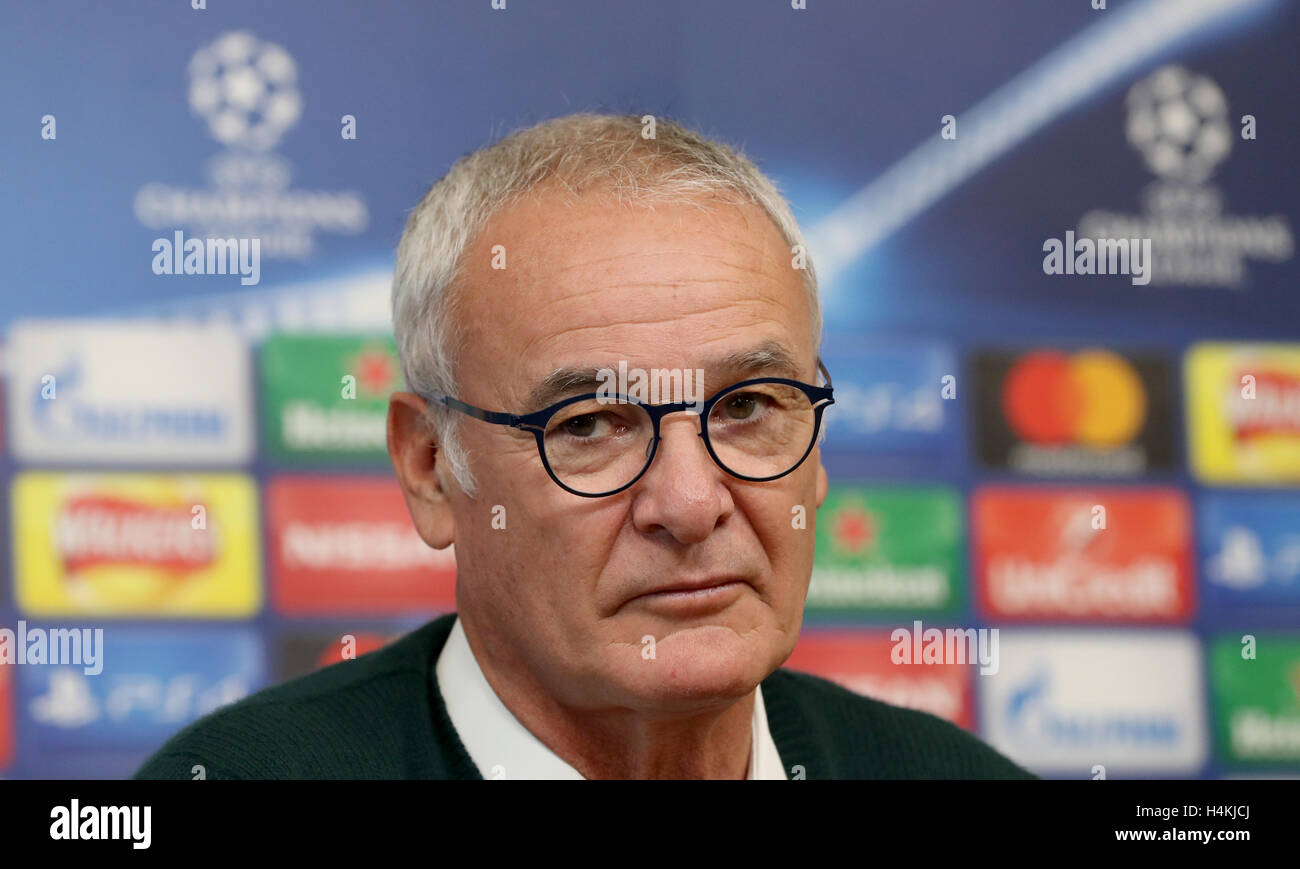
x=821 y=399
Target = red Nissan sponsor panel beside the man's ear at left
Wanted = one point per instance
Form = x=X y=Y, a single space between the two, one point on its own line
x=348 y=546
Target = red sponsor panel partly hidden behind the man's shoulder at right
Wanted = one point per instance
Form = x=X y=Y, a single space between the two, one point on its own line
x=861 y=663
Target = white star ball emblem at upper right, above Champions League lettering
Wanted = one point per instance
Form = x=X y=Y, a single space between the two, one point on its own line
x=1180 y=124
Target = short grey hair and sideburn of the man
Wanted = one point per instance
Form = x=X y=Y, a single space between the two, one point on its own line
x=579 y=153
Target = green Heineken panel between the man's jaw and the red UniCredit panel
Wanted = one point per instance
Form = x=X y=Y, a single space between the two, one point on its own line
x=887 y=550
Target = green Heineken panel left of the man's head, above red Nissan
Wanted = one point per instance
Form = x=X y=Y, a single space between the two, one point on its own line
x=327 y=396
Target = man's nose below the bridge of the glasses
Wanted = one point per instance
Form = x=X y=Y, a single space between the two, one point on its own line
x=683 y=495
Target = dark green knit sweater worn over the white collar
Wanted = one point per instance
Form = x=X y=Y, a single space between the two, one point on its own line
x=383 y=717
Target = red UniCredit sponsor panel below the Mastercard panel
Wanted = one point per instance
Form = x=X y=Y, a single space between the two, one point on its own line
x=1076 y=555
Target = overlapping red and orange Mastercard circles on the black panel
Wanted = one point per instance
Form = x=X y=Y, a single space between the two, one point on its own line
x=1090 y=399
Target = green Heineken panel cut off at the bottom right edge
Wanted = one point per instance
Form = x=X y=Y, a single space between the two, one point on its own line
x=1258 y=701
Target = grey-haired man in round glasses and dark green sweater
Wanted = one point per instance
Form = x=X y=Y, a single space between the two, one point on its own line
x=631 y=573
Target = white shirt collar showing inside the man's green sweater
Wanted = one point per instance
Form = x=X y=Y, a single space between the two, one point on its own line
x=501 y=747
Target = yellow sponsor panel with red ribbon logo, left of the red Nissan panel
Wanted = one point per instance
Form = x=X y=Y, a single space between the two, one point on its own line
x=137 y=544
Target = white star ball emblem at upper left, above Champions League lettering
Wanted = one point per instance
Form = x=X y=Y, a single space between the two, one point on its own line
x=246 y=90
